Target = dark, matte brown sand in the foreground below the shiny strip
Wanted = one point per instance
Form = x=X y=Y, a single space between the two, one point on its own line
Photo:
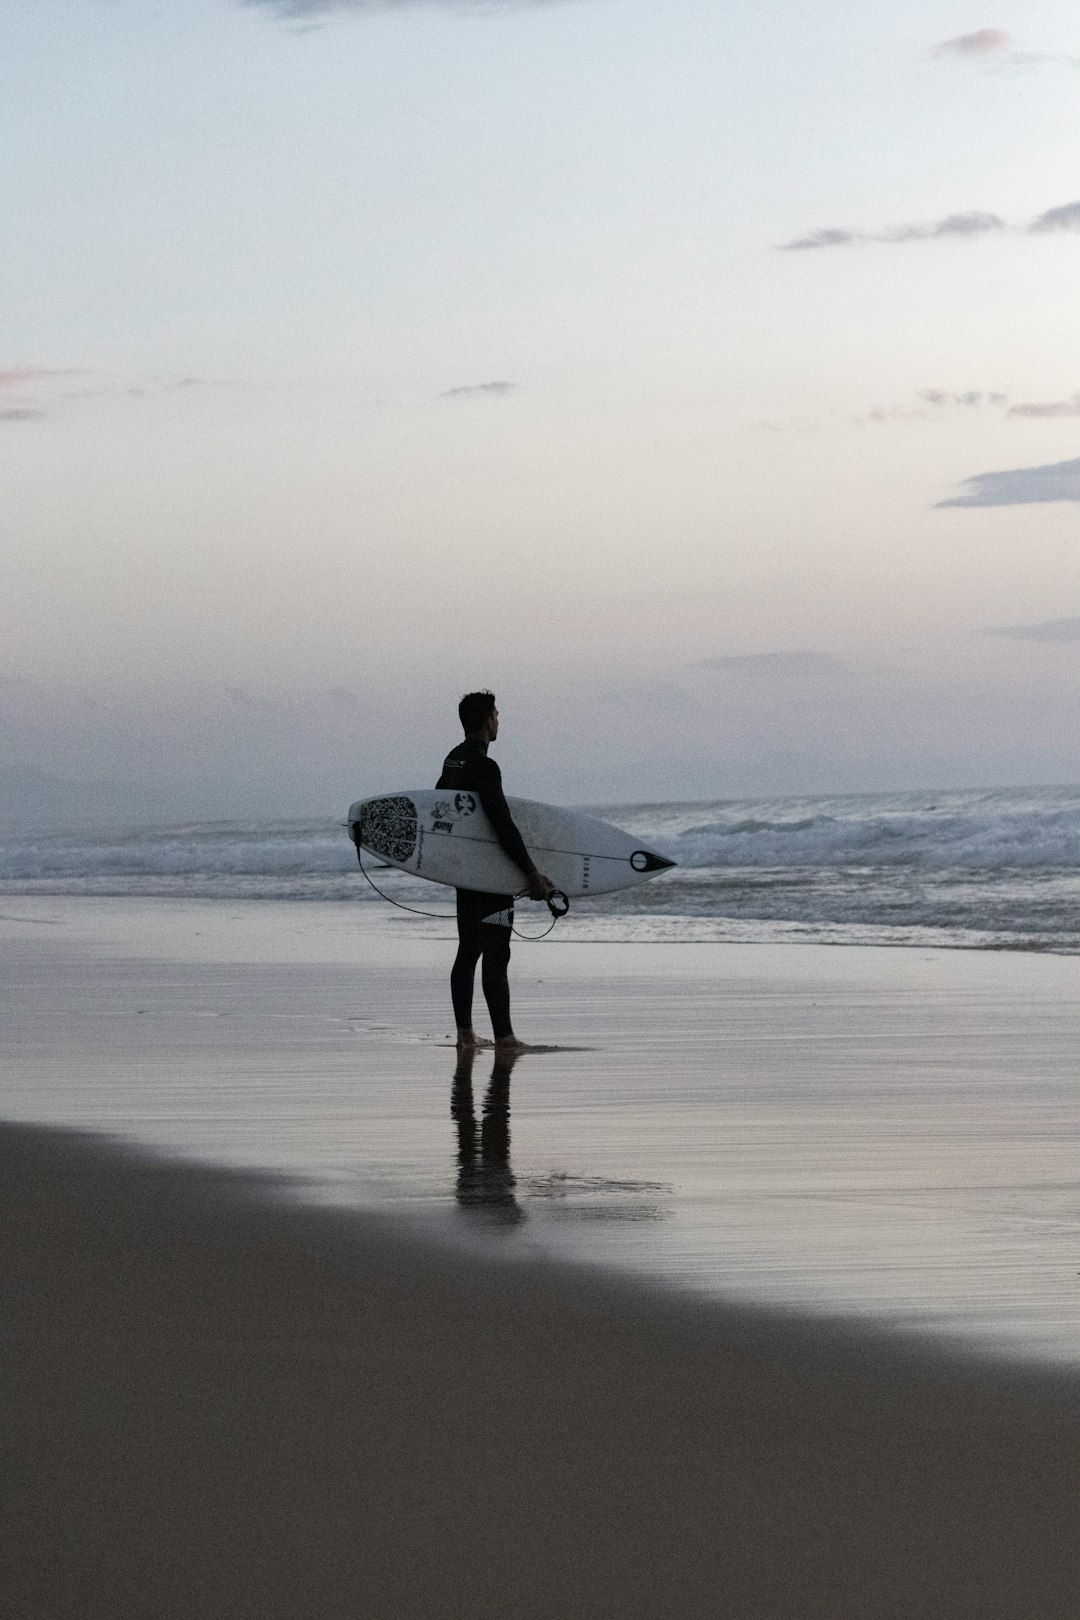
x=221 y=1405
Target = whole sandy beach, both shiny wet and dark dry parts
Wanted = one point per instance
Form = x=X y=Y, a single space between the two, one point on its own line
x=759 y=1298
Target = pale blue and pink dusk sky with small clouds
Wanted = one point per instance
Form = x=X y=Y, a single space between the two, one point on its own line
x=704 y=378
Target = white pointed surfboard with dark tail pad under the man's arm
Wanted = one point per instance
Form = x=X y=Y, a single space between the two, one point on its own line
x=446 y=837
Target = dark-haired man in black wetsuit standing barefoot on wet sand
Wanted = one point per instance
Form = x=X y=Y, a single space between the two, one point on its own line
x=485 y=921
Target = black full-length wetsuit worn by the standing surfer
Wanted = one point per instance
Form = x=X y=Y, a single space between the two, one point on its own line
x=485 y=921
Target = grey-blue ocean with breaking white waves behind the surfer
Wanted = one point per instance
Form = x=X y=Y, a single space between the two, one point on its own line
x=995 y=869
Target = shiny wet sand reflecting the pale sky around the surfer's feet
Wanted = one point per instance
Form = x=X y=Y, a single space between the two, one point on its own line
x=865 y=1132
